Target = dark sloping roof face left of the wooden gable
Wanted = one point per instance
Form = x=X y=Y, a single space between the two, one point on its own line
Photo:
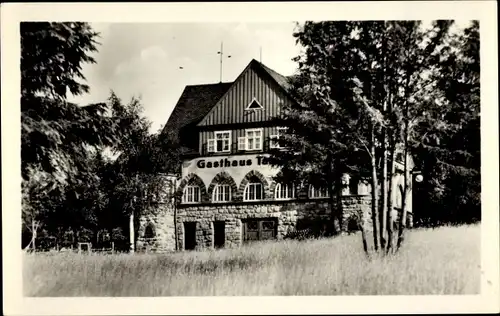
x=195 y=102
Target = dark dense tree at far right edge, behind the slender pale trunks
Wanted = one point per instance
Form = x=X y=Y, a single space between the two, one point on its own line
x=449 y=138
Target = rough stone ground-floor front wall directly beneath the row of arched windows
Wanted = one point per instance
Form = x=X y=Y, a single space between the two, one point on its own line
x=289 y=215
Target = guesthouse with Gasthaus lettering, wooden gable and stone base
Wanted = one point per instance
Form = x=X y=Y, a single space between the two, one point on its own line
x=226 y=187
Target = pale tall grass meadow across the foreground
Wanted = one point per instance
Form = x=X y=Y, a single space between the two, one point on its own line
x=440 y=261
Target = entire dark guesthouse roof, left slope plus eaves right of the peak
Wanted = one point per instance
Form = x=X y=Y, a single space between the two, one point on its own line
x=196 y=101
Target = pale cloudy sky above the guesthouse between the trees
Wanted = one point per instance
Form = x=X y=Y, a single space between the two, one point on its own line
x=144 y=59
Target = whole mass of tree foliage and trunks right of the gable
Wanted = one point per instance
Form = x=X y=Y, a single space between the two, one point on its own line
x=368 y=91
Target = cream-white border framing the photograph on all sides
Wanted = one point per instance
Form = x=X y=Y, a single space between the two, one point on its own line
x=13 y=13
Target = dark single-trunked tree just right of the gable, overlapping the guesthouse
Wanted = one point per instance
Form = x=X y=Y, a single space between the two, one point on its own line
x=323 y=140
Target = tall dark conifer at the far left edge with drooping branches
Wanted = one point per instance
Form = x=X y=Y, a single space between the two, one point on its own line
x=56 y=134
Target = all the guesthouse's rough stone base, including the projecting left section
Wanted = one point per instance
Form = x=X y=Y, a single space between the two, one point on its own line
x=290 y=216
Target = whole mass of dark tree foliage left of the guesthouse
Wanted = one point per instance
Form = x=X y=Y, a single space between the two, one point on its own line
x=70 y=180
